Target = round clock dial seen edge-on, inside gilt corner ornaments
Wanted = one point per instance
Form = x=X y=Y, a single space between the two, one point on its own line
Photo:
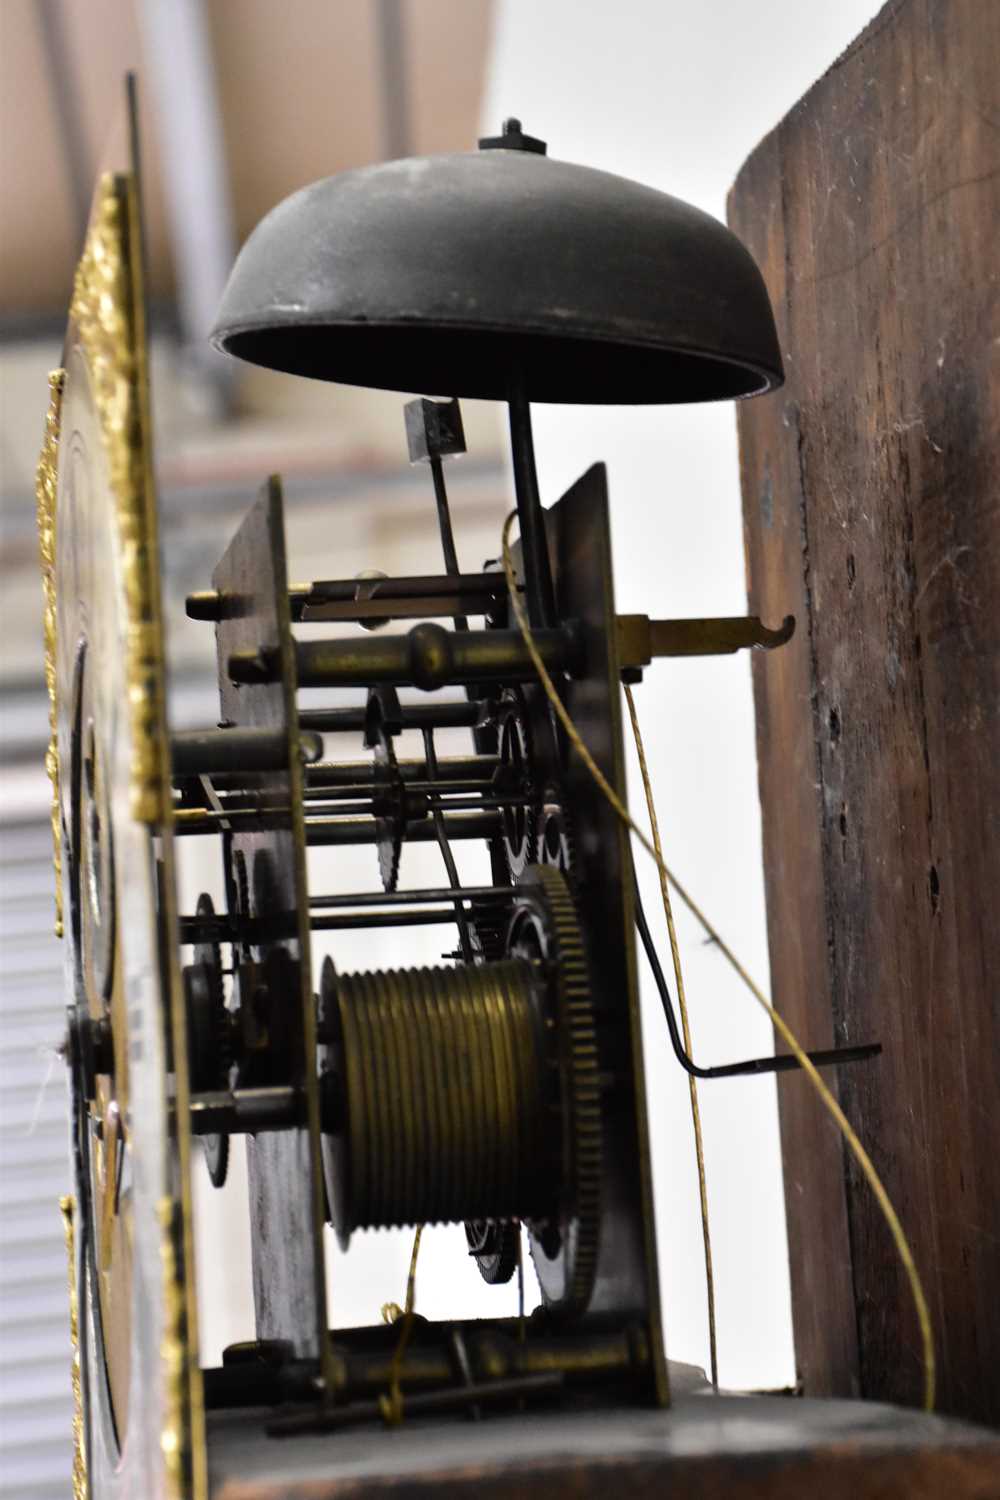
x=91 y=695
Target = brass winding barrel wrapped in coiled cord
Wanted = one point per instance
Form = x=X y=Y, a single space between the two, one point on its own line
x=449 y=1108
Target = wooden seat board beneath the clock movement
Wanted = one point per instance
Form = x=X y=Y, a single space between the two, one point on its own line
x=704 y=1448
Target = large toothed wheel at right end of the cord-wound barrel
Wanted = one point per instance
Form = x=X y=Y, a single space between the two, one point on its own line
x=564 y=1249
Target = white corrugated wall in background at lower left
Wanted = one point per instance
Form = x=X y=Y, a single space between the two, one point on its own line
x=35 y=1358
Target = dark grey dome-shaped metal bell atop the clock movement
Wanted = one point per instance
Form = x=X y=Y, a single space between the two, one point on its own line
x=466 y=275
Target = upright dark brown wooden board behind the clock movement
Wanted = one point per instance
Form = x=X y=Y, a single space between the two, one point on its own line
x=872 y=509
